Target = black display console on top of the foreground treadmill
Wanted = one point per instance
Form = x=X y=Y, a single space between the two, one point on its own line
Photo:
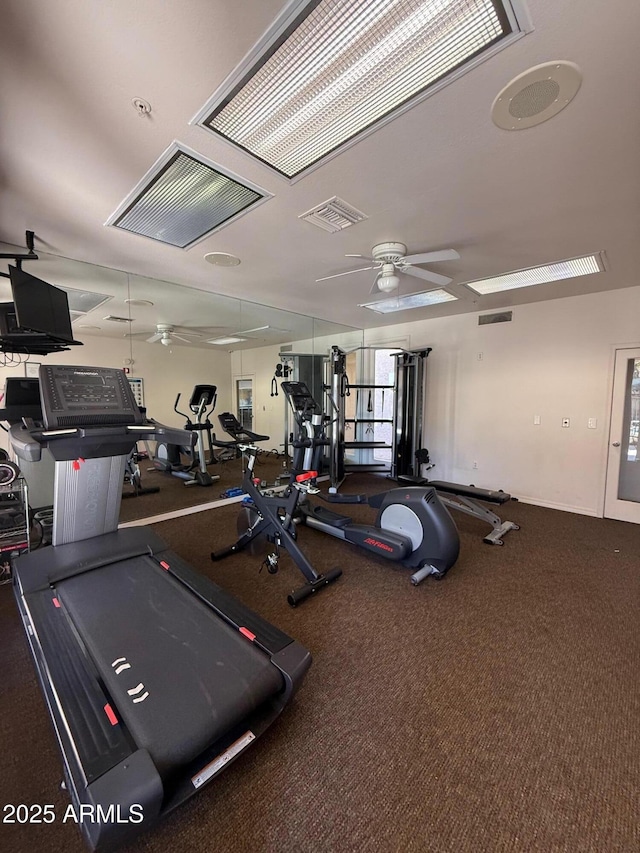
x=86 y=396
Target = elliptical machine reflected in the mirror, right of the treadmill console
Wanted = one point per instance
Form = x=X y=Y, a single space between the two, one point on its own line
x=168 y=457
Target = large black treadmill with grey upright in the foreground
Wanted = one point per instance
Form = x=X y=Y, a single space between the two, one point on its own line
x=155 y=678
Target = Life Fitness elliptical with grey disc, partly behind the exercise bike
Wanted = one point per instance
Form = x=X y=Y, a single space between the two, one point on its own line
x=412 y=525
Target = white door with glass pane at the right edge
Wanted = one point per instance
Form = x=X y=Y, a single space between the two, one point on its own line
x=622 y=493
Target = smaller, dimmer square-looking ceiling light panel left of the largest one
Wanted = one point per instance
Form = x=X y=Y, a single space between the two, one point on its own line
x=184 y=198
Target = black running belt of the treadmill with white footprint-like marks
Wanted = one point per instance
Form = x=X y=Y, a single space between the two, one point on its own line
x=179 y=675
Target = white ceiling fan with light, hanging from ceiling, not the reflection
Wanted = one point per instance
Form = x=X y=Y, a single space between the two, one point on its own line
x=391 y=258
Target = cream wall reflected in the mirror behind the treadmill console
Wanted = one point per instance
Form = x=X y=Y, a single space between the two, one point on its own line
x=166 y=371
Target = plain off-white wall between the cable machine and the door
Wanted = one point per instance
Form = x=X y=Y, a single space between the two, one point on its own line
x=555 y=359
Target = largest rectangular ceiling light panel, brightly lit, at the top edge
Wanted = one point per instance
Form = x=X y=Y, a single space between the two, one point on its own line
x=328 y=71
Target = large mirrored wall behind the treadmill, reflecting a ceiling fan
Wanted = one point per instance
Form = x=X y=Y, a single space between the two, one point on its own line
x=170 y=338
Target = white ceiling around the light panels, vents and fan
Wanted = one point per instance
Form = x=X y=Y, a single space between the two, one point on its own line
x=442 y=175
